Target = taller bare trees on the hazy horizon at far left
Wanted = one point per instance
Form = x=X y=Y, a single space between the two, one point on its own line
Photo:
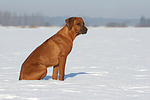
x=12 y=19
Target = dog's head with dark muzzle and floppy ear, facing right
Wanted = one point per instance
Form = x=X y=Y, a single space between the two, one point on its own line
x=76 y=24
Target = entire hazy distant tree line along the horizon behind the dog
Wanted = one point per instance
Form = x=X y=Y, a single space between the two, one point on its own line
x=37 y=19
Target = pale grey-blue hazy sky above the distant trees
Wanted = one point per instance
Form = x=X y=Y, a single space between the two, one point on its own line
x=126 y=9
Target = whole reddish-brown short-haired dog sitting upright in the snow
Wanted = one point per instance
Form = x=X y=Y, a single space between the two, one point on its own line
x=53 y=52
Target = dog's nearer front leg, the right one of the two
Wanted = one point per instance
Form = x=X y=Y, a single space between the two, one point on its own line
x=62 y=62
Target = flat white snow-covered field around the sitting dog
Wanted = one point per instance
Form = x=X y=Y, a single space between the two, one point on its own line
x=105 y=64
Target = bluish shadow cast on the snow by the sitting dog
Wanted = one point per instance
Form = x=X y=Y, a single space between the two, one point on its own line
x=66 y=76
